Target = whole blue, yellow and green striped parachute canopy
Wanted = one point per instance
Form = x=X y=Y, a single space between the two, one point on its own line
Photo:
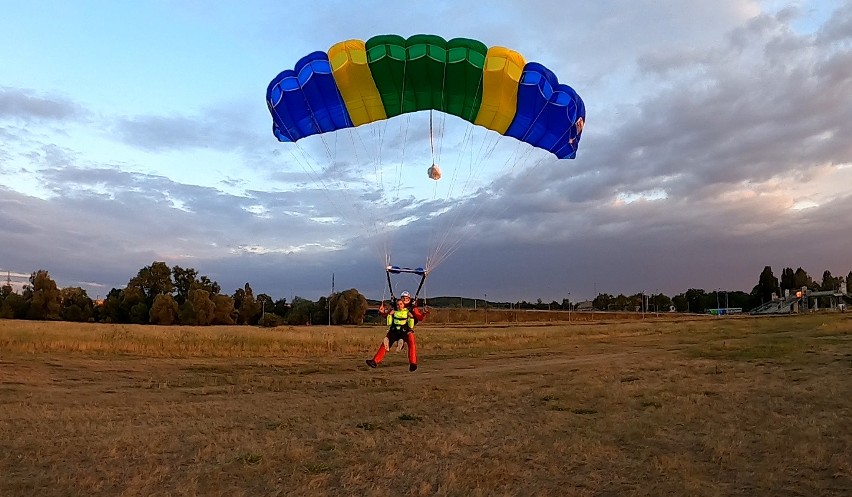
x=360 y=82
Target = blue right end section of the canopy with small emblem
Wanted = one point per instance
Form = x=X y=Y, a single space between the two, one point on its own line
x=546 y=112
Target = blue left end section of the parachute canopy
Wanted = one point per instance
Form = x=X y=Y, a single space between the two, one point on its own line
x=306 y=100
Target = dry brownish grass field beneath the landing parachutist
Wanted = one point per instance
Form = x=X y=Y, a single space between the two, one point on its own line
x=690 y=407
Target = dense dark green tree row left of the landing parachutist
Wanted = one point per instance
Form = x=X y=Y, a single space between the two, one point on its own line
x=161 y=295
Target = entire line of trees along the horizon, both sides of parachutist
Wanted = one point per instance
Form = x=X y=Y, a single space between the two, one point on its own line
x=161 y=295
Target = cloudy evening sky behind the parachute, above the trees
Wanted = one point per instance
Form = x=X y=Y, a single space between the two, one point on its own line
x=717 y=142
